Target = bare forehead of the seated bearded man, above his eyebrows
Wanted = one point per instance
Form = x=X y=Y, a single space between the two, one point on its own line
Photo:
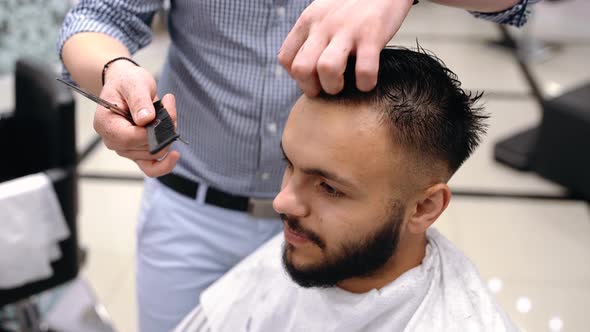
x=346 y=139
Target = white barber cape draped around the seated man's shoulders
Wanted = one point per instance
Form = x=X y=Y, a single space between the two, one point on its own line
x=444 y=293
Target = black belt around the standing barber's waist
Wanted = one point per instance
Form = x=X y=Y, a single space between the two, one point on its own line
x=261 y=208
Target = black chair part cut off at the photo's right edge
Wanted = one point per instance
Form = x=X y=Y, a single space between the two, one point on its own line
x=559 y=148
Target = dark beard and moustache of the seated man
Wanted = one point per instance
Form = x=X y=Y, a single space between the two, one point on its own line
x=354 y=259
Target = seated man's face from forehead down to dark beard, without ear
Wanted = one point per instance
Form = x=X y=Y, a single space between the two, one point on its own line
x=340 y=199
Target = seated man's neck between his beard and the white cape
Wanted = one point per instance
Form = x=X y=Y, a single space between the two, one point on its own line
x=409 y=254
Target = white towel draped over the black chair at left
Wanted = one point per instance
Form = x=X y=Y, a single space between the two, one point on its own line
x=32 y=224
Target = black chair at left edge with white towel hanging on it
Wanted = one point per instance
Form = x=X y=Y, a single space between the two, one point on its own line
x=39 y=136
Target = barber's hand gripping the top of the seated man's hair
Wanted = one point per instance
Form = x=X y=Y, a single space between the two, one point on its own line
x=316 y=50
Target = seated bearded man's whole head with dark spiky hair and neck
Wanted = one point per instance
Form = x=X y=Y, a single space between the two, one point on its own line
x=366 y=172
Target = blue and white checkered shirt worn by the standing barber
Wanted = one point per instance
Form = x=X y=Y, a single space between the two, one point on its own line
x=232 y=95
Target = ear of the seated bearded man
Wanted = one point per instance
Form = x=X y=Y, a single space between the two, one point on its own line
x=429 y=206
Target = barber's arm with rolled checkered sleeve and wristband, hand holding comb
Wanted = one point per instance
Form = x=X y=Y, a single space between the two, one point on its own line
x=96 y=32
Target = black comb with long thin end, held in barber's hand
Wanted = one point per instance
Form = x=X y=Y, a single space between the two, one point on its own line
x=160 y=131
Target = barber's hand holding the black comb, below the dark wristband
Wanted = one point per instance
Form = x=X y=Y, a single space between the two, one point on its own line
x=133 y=88
